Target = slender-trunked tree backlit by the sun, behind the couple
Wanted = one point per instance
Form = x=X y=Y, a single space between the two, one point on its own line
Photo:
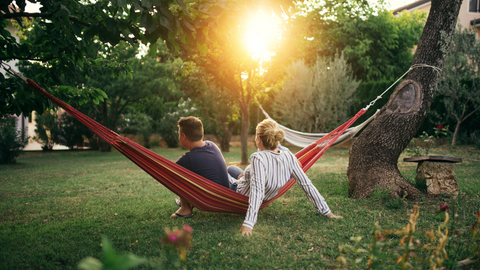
x=228 y=60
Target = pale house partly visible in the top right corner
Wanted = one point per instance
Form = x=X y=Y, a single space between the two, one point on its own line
x=469 y=15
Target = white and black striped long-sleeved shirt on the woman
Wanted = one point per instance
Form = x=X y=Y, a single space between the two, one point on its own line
x=267 y=173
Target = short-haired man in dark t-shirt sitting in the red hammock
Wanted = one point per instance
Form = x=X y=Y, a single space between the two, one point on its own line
x=204 y=159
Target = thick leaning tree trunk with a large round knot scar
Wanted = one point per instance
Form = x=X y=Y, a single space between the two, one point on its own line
x=374 y=155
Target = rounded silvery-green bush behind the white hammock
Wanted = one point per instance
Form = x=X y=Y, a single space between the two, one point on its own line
x=317 y=98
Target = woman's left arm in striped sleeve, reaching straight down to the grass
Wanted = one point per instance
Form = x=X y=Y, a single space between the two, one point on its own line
x=257 y=191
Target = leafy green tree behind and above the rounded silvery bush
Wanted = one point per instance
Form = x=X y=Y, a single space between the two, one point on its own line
x=377 y=44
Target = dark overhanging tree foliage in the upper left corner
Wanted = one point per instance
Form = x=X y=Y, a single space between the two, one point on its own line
x=66 y=35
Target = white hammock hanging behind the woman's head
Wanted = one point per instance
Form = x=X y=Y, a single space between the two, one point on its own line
x=303 y=139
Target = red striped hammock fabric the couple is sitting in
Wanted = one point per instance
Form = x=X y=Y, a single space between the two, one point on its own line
x=199 y=191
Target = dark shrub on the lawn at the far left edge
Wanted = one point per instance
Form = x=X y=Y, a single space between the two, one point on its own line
x=11 y=143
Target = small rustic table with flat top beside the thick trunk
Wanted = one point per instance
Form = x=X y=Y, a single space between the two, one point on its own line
x=437 y=173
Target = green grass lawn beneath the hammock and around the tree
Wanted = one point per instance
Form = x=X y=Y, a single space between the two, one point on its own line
x=55 y=207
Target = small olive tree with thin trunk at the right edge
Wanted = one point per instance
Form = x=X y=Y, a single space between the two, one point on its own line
x=459 y=87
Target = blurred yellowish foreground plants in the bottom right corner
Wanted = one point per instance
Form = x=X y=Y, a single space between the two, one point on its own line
x=410 y=251
